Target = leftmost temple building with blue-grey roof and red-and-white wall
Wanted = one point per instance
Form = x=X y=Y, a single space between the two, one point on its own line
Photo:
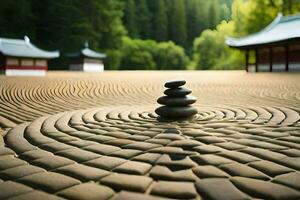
x=21 y=57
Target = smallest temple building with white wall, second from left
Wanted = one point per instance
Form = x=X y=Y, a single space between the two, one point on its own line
x=86 y=60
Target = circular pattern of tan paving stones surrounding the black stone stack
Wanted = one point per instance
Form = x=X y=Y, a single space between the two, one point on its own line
x=248 y=152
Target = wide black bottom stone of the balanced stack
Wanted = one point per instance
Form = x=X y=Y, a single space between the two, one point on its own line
x=176 y=112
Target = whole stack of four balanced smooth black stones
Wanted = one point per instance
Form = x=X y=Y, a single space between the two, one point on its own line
x=177 y=102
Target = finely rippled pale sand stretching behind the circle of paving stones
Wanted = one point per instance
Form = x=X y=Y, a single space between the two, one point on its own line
x=27 y=98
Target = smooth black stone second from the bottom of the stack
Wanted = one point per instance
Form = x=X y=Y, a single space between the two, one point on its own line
x=176 y=101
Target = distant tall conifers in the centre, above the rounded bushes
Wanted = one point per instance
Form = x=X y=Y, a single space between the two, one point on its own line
x=177 y=20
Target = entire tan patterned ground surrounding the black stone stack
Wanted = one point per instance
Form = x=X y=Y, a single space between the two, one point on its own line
x=95 y=136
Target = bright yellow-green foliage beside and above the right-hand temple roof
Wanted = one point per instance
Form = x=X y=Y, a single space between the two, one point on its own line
x=210 y=50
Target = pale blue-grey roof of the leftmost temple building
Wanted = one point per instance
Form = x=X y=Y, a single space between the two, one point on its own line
x=24 y=48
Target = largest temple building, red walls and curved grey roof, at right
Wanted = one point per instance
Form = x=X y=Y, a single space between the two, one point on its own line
x=275 y=48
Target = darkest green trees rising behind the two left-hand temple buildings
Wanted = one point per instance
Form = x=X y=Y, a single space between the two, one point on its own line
x=65 y=24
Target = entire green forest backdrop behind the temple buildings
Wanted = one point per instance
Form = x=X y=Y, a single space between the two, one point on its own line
x=143 y=34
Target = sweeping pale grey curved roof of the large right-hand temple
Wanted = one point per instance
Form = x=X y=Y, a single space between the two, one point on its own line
x=282 y=29
